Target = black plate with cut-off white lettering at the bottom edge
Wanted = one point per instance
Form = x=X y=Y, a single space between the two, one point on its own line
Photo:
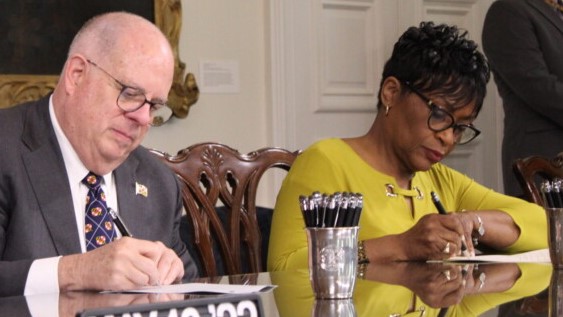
x=248 y=305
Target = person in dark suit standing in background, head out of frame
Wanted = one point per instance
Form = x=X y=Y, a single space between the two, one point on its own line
x=523 y=40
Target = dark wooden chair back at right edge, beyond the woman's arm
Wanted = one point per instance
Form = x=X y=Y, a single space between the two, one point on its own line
x=530 y=171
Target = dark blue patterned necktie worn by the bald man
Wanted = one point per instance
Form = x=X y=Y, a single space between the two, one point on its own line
x=98 y=227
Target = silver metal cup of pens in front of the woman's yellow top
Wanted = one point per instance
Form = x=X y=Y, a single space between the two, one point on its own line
x=333 y=261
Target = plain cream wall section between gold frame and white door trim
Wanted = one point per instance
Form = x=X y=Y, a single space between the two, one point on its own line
x=227 y=31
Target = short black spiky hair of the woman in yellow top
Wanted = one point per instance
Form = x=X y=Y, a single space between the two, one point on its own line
x=441 y=59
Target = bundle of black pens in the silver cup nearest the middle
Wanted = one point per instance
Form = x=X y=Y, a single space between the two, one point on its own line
x=327 y=211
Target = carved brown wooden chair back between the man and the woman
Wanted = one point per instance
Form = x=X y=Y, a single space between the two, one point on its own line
x=227 y=239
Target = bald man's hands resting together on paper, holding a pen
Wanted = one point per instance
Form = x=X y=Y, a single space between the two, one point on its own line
x=124 y=264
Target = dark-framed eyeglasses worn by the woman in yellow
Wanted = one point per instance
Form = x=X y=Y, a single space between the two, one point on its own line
x=440 y=120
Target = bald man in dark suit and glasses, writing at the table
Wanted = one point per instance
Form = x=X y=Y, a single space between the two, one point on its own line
x=118 y=72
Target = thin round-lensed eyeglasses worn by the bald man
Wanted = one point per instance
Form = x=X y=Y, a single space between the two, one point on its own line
x=131 y=99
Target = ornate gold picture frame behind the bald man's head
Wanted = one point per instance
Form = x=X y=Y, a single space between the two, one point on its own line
x=17 y=88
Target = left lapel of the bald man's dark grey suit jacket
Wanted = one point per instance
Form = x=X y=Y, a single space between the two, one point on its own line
x=48 y=178
